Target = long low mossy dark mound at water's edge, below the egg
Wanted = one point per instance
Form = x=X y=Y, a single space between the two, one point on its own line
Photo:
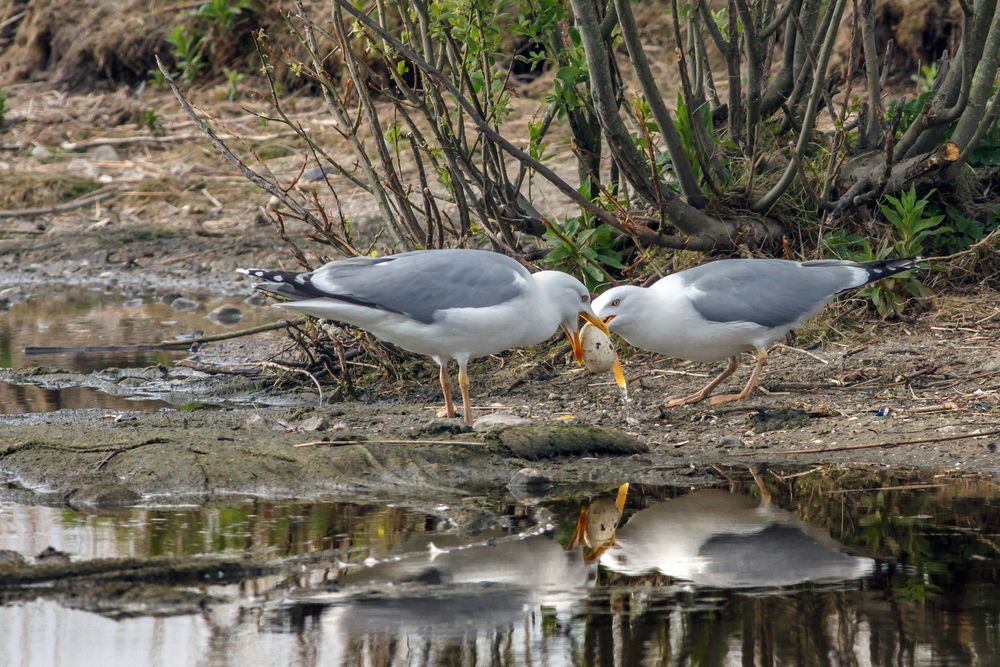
x=537 y=441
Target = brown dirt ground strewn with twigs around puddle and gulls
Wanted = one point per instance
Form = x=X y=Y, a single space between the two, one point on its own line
x=177 y=217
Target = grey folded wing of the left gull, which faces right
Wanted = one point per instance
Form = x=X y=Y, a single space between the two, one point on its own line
x=420 y=283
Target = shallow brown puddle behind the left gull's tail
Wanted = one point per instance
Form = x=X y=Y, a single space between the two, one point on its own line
x=78 y=317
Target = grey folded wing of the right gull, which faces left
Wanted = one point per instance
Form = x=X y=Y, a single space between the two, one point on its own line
x=768 y=292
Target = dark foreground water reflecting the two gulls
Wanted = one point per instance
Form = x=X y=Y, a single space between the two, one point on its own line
x=827 y=573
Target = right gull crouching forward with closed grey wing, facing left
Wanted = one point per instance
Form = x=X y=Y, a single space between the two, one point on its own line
x=721 y=309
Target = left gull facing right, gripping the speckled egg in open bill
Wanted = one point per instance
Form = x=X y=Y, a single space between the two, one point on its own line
x=446 y=304
